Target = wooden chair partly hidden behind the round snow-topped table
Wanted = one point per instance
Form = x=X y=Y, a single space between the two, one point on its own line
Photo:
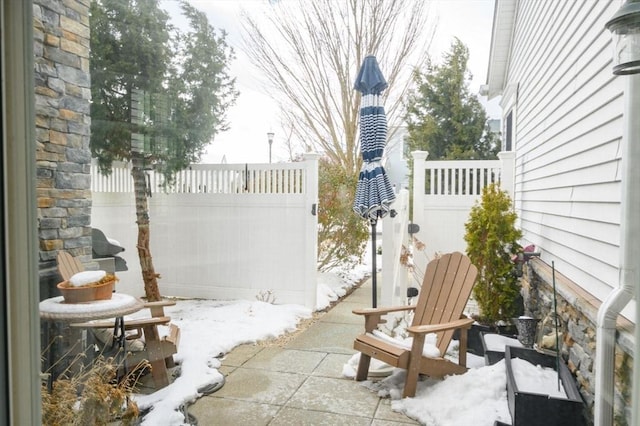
x=157 y=350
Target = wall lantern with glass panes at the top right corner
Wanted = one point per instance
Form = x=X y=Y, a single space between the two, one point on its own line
x=625 y=29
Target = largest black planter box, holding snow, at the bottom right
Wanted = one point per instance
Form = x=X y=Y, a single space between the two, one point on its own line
x=531 y=409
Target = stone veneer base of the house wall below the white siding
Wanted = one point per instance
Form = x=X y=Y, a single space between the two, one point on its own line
x=577 y=325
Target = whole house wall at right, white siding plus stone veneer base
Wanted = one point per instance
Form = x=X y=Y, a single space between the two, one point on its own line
x=567 y=111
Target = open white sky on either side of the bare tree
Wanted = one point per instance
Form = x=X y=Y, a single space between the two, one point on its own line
x=255 y=114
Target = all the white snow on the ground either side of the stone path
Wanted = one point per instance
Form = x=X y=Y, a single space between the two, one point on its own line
x=210 y=329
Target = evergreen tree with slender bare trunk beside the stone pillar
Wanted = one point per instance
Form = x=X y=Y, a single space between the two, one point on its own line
x=159 y=96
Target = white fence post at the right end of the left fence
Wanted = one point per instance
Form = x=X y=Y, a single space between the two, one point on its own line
x=311 y=230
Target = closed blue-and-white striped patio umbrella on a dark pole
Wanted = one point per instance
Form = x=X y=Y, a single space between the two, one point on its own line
x=374 y=193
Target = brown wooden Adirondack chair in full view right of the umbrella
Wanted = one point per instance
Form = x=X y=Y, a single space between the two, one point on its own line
x=444 y=294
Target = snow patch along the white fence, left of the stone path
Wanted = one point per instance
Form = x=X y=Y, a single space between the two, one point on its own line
x=209 y=329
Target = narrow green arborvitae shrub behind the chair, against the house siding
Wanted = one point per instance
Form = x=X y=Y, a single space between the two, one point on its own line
x=492 y=240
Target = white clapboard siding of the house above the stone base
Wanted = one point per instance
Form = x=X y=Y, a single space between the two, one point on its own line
x=567 y=108
